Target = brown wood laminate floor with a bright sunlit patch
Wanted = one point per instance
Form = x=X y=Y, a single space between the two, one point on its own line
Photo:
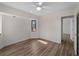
x=38 y=47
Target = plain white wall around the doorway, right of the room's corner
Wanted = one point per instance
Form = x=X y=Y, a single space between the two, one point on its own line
x=50 y=25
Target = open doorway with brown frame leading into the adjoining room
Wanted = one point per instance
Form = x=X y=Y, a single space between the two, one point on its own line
x=67 y=29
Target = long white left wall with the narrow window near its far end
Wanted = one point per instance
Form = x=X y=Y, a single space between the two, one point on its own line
x=15 y=29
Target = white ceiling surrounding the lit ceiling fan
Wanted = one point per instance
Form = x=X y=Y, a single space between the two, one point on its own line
x=49 y=6
